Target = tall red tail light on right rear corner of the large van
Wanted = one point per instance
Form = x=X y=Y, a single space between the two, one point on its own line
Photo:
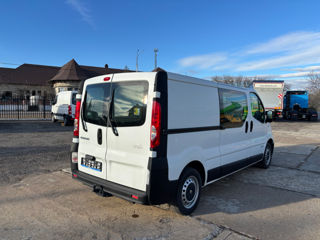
x=155 y=125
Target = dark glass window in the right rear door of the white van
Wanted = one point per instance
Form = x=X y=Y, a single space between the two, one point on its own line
x=130 y=103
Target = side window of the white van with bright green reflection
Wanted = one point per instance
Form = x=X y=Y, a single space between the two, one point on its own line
x=233 y=108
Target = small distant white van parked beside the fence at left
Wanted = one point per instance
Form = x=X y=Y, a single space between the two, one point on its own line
x=63 y=107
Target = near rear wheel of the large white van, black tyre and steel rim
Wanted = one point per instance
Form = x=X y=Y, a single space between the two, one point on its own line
x=188 y=193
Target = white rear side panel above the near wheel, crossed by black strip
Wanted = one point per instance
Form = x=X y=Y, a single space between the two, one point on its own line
x=193 y=126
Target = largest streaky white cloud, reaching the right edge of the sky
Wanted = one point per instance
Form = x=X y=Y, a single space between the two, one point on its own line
x=289 y=50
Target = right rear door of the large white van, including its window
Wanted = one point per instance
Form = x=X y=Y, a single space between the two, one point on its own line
x=128 y=139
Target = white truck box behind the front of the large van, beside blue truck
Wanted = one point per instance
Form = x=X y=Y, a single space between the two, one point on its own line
x=271 y=94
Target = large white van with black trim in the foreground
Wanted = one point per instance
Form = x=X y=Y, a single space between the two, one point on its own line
x=156 y=137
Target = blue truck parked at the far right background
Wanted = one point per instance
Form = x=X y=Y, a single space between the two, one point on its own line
x=296 y=106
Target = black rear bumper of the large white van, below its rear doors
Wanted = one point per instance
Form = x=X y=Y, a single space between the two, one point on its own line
x=110 y=187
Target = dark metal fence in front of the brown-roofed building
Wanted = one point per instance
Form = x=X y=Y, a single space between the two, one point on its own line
x=34 y=108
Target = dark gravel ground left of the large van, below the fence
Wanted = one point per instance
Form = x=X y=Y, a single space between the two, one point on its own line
x=32 y=147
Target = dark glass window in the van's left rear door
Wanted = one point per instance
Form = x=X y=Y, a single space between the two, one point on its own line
x=95 y=108
